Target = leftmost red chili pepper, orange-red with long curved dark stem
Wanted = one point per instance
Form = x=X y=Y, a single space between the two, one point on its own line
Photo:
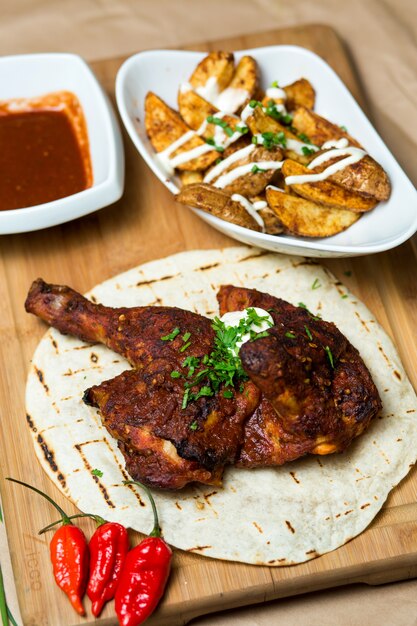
x=69 y=555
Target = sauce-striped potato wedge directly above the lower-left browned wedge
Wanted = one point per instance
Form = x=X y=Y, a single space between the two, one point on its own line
x=251 y=183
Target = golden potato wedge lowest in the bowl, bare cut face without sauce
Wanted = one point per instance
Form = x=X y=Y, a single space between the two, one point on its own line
x=308 y=219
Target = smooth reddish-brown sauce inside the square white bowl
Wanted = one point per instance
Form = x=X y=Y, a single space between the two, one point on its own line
x=44 y=152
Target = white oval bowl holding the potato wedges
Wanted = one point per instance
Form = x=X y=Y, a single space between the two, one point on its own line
x=387 y=226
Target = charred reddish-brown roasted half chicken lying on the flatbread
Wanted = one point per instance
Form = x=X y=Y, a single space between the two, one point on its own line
x=307 y=389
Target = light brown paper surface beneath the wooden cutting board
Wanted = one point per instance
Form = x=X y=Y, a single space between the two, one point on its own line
x=380 y=36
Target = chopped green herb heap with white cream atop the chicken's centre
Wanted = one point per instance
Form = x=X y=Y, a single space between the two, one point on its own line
x=222 y=367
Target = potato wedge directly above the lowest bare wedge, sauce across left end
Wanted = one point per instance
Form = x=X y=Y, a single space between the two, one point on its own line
x=326 y=192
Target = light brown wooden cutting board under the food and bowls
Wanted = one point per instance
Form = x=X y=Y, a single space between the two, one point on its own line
x=147 y=224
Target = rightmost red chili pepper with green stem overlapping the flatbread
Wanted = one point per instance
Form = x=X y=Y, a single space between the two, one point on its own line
x=144 y=575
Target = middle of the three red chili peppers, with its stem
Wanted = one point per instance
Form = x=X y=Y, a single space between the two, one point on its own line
x=108 y=548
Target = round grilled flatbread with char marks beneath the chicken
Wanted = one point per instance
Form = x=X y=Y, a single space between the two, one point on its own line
x=273 y=516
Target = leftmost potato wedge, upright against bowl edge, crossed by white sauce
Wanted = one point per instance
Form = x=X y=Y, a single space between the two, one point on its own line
x=164 y=126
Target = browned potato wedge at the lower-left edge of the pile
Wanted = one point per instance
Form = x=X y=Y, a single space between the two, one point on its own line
x=218 y=203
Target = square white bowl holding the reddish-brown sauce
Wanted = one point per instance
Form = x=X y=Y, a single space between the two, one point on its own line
x=31 y=75
